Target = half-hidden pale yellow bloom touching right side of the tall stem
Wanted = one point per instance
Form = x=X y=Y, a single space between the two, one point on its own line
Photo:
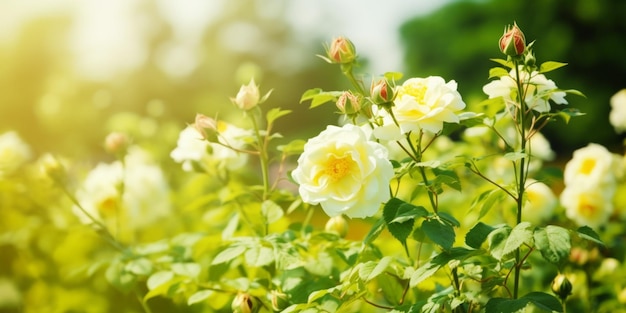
x=540 y=202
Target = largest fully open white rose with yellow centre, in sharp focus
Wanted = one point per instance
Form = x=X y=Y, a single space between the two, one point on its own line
x=344 y=172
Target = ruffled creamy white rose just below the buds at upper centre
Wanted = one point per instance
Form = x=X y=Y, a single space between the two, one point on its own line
x=426 y=103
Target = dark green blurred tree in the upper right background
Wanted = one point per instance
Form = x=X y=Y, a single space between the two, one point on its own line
x=457 y=41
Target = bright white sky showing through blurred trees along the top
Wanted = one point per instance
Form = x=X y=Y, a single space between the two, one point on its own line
x=106 y=37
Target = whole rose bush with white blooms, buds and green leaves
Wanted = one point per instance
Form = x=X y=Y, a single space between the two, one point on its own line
x=414 y=202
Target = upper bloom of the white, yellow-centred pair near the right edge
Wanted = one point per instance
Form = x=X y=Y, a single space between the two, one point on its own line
x=592 y=165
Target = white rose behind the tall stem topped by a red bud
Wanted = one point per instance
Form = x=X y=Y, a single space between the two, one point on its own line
x=536 y=97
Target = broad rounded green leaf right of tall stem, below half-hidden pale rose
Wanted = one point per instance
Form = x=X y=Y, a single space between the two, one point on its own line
x=553 y=242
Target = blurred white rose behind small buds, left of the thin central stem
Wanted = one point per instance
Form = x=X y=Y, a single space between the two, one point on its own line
x=193 y=151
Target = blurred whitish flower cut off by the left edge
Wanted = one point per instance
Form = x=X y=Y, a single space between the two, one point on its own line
x=14 y=152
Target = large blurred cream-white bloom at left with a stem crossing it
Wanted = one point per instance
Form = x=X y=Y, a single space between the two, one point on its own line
x=134 y=194
